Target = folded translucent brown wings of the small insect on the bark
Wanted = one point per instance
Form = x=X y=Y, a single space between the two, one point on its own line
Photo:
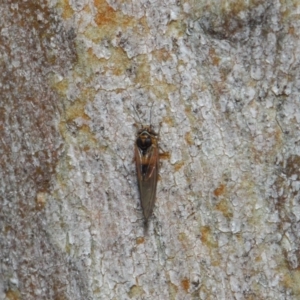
x=147 y=172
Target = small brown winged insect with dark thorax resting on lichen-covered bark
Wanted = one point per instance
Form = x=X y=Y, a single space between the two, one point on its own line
x=147 y=159
